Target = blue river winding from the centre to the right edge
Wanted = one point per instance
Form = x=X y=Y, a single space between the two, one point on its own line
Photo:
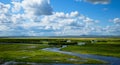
x=110 y=60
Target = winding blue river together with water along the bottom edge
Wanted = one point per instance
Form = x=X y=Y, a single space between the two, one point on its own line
x=110 y=60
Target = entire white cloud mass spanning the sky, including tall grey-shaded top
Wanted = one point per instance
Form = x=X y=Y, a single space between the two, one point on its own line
x=36 y=20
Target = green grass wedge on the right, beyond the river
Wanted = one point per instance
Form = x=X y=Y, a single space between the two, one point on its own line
x=101 y=48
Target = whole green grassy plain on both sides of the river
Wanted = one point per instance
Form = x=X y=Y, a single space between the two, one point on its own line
x=29 y=50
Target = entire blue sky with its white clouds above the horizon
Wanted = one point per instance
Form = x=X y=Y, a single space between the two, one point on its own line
x=59 y=17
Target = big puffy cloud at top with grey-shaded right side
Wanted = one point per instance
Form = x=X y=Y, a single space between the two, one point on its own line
x=37 y=7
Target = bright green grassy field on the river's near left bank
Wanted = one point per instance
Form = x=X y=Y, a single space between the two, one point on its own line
x=33 y=53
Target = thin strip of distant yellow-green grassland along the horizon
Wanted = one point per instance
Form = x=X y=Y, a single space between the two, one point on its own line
x=39 y=40
